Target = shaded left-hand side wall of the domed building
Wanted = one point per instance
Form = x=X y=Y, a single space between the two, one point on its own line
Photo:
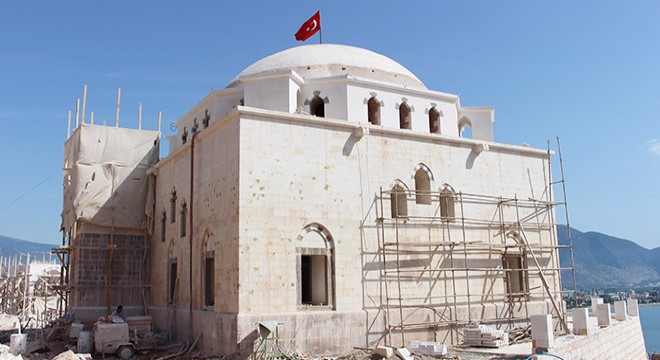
x=215 y=225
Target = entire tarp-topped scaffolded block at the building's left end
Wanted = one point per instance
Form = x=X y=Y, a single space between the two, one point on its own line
x=107 y=219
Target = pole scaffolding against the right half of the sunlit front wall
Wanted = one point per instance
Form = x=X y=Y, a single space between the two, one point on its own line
x=472 y=259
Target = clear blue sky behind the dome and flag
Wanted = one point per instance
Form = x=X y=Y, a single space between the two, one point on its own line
x=586 y=71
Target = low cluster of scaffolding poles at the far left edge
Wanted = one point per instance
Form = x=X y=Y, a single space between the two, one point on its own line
x=27 y=288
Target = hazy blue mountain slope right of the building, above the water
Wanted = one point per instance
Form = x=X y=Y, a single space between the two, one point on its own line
x=605 y=261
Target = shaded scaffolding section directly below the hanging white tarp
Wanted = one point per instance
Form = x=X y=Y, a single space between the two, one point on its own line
x=88 y=276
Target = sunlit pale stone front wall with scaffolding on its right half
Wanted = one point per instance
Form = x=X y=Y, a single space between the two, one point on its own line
x=295 y=172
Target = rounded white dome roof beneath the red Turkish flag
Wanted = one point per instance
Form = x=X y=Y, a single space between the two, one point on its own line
x=325 y=60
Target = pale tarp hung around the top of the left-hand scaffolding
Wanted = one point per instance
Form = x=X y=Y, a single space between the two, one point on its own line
x=105 y=176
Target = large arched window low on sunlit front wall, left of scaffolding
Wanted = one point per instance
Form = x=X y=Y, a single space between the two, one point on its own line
x=316 y=266
